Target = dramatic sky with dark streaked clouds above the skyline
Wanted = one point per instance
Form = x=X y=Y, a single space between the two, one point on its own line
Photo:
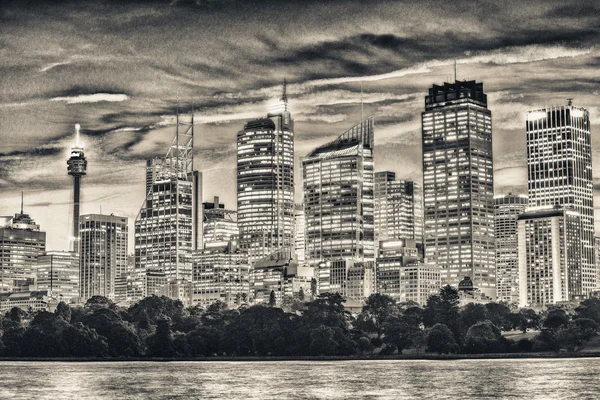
x=119 y=71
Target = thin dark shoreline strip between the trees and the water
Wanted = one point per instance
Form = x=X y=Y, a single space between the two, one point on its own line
x=415 y=357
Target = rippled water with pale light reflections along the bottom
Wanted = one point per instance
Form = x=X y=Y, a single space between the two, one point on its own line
x=407 y=379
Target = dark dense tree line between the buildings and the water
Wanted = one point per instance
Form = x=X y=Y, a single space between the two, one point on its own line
x=162 y=327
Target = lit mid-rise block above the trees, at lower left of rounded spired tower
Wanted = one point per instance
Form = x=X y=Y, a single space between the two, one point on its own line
x=221 y=274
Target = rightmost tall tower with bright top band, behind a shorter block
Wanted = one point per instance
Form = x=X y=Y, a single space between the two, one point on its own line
x=559 y=160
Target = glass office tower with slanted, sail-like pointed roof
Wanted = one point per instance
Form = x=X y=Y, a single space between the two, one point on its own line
x=338 y=197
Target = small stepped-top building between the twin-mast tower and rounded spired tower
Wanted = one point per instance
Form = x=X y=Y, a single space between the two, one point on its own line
x=219 y=224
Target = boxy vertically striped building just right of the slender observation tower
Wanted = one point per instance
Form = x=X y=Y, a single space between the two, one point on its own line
x=102 y=254
